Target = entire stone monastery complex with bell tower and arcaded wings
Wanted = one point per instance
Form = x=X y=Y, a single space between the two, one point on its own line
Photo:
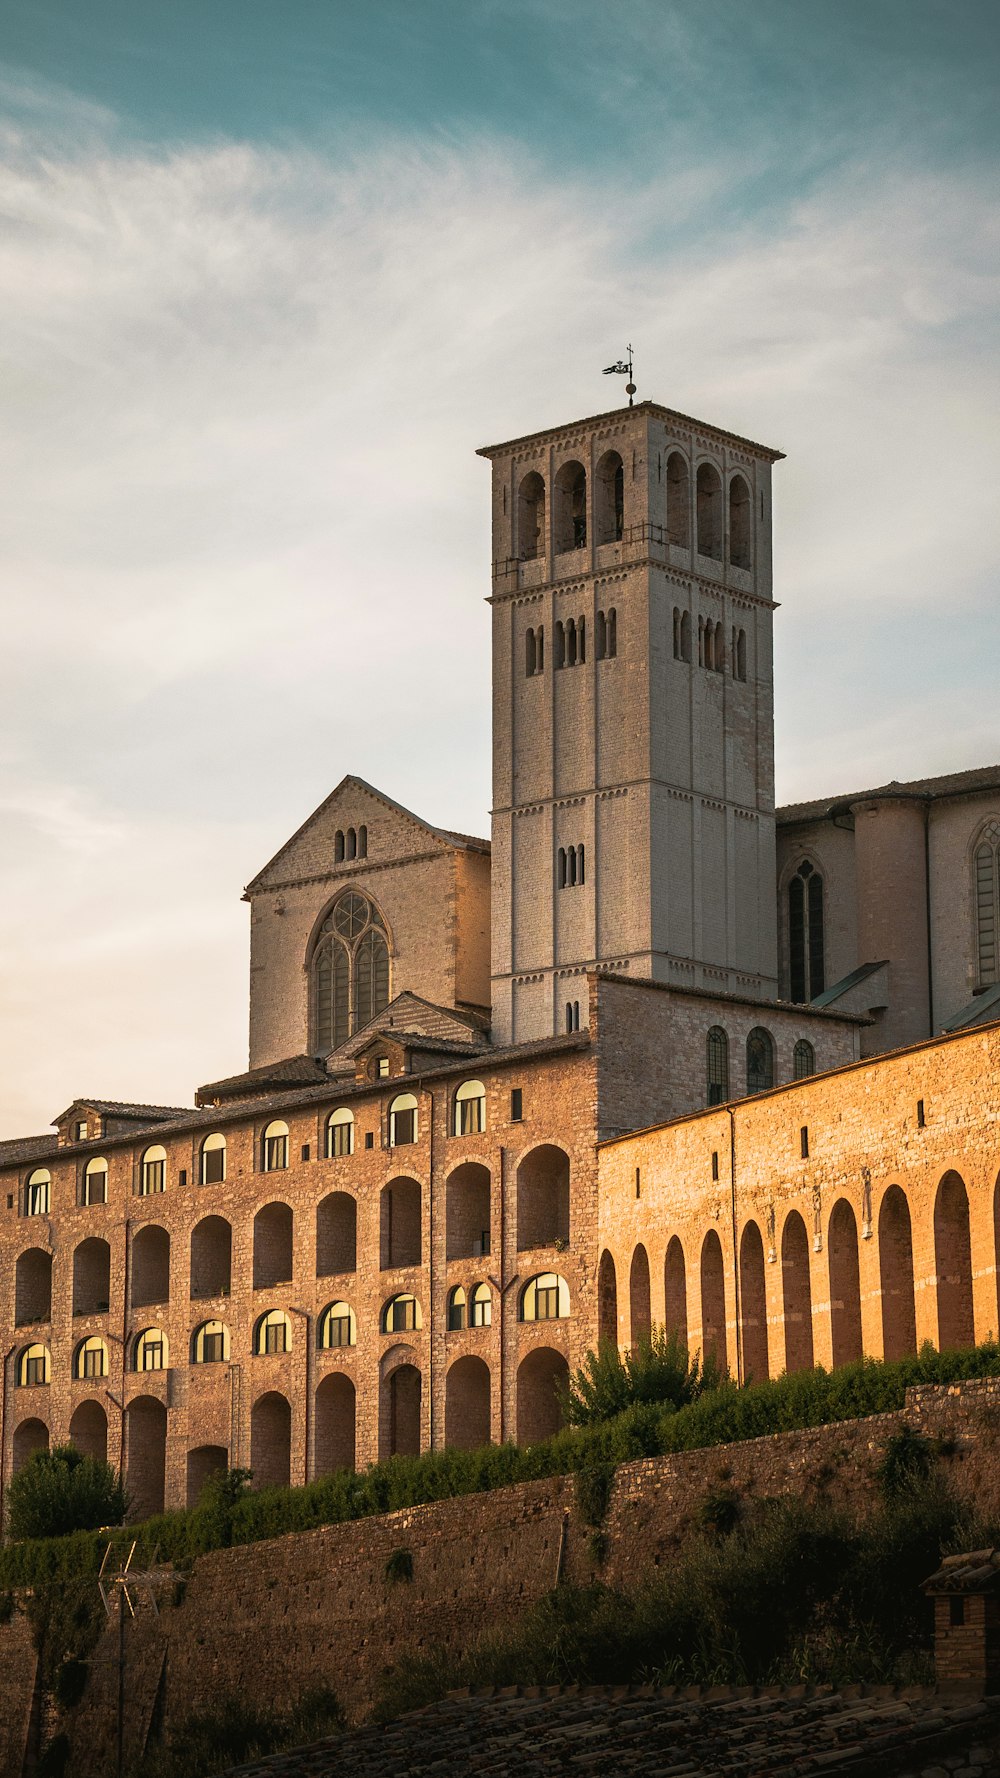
x=659 y=1052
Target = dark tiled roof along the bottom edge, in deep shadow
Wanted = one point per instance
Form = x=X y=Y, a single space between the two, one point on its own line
x=641 y=1733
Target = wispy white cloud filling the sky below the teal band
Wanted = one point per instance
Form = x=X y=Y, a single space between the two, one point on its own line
x=246 y=536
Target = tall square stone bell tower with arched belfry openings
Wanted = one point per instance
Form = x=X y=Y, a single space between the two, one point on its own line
x=633 y=714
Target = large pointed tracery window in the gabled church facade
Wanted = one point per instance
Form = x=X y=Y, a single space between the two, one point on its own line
x=351 y=970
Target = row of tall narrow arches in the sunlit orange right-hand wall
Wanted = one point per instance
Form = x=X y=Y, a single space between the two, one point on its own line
x=697 y=1286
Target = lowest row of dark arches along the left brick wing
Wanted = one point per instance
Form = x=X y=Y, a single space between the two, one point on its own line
x=469 y=1423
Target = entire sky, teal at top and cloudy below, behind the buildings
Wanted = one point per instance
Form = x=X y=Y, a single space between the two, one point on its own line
x=270 y=275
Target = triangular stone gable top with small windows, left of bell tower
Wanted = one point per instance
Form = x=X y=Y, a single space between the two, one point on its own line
x=355 y=826
